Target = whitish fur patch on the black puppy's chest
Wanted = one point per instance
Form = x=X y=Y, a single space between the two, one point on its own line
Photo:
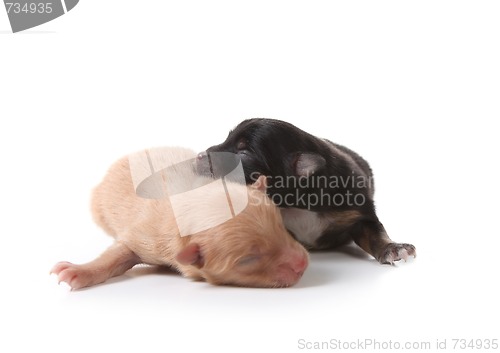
x=306 y=225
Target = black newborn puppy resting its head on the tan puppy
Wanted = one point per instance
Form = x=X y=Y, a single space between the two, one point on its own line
x=324 y=190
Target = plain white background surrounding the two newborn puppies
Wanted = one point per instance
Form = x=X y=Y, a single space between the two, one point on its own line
x=414 y=87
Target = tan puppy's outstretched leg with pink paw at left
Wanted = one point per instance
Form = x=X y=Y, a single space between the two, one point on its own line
x=113 y=262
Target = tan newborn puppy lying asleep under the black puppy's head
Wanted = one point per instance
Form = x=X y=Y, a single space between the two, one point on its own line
x=151 y=211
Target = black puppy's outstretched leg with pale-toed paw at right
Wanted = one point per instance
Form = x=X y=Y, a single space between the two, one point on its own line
x=372 y=238
